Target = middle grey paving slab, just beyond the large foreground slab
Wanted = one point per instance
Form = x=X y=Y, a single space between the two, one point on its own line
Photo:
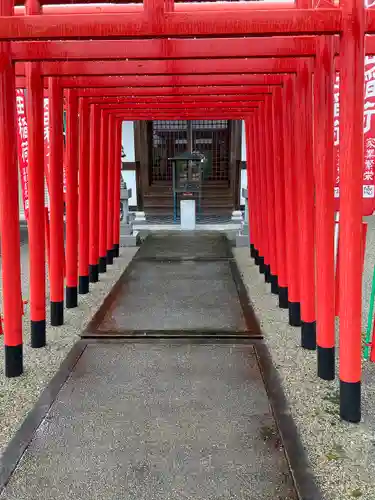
x=176 y=296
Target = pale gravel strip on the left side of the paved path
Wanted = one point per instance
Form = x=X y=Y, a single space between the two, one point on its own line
x=18 y=396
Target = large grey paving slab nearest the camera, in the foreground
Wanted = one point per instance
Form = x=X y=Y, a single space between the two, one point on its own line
x=157 y=421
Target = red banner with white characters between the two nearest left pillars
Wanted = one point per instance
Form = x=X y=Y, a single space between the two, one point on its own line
x=23 y=148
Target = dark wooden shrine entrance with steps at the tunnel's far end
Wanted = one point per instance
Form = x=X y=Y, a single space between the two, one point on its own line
x=218 y=140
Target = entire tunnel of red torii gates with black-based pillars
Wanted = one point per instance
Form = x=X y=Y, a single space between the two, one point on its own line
x=271 y=65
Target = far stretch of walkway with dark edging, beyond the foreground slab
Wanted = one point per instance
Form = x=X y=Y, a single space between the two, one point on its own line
x=182 y=283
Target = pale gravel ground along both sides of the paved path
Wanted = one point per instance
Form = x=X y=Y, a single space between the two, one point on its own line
x=342 y=455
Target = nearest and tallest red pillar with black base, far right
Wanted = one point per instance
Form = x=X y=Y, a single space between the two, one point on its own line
x=351 y=173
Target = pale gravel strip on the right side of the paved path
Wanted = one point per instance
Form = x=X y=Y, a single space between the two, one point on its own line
x=342 y=455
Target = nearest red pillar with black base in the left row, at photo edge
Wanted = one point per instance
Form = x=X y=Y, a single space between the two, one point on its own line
x=9 y=213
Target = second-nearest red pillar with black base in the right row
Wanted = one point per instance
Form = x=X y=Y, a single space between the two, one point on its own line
x=324 y=207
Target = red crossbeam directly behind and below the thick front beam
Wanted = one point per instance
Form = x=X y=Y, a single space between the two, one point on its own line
x=163 y=49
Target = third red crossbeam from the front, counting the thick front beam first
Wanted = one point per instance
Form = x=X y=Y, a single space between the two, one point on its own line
x=174 y=67
